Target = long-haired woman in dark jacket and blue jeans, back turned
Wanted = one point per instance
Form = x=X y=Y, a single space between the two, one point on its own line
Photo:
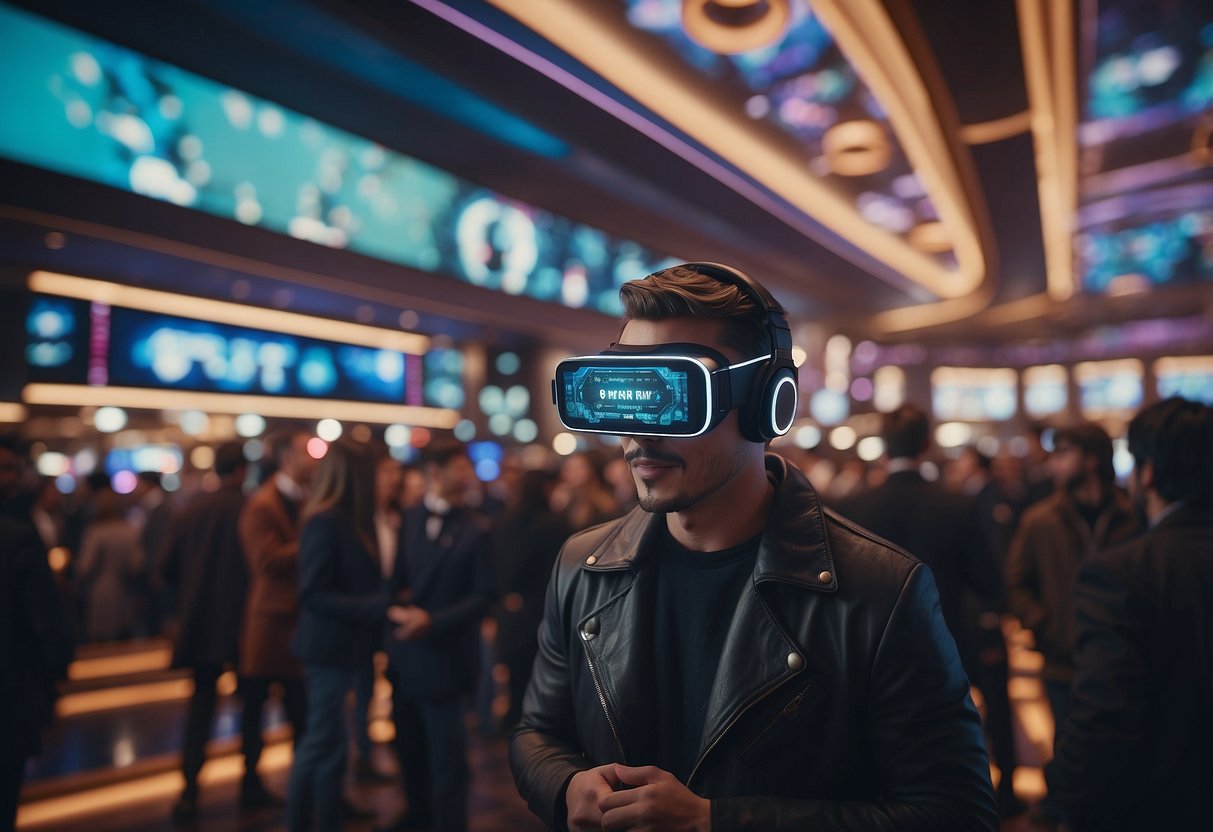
x=343 y=607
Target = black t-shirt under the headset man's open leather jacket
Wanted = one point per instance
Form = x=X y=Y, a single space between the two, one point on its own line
x=696 y=599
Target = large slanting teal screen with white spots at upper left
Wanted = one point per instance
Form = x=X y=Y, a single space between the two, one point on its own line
x=88 y=109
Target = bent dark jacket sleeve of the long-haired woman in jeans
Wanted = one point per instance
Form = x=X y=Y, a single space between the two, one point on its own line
x=324 y=540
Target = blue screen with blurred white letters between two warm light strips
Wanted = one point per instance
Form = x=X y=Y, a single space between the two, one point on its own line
x=78 y=343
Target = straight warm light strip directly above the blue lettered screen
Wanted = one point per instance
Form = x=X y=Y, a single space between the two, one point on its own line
x=237 y=315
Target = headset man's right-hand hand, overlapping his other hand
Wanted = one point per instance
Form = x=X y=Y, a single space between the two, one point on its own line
x=658 y=802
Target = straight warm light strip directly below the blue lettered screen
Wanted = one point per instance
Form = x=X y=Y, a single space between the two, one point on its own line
x=139 y=398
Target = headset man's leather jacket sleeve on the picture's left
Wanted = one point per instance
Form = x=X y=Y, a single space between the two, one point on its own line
x=544 y=748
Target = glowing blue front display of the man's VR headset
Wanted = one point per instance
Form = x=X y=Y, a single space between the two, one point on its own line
x=668 y=397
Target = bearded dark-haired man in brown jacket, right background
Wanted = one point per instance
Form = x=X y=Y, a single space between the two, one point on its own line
x=1085 y=514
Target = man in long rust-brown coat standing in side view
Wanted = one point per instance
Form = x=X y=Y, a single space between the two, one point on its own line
x=270 y=539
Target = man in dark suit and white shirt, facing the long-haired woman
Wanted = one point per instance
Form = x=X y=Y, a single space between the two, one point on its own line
x=445 y=569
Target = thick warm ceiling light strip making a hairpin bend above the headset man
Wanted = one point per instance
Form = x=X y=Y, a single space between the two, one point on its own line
x=608 y=49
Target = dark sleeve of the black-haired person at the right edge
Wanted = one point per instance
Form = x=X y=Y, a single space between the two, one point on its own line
x=1101 y=749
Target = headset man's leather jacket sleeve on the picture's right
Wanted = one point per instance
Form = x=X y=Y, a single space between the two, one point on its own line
x=926 y=737
